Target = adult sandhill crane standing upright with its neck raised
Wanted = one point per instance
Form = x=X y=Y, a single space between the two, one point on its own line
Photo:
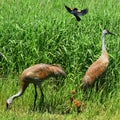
x=99 y=66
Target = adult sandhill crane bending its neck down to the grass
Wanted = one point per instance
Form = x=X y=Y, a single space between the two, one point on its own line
x=36 y=74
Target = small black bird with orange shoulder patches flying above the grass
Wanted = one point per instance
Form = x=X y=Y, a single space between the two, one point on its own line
x=77 y=12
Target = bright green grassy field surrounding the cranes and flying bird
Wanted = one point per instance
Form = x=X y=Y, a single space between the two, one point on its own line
x=42 y=31
